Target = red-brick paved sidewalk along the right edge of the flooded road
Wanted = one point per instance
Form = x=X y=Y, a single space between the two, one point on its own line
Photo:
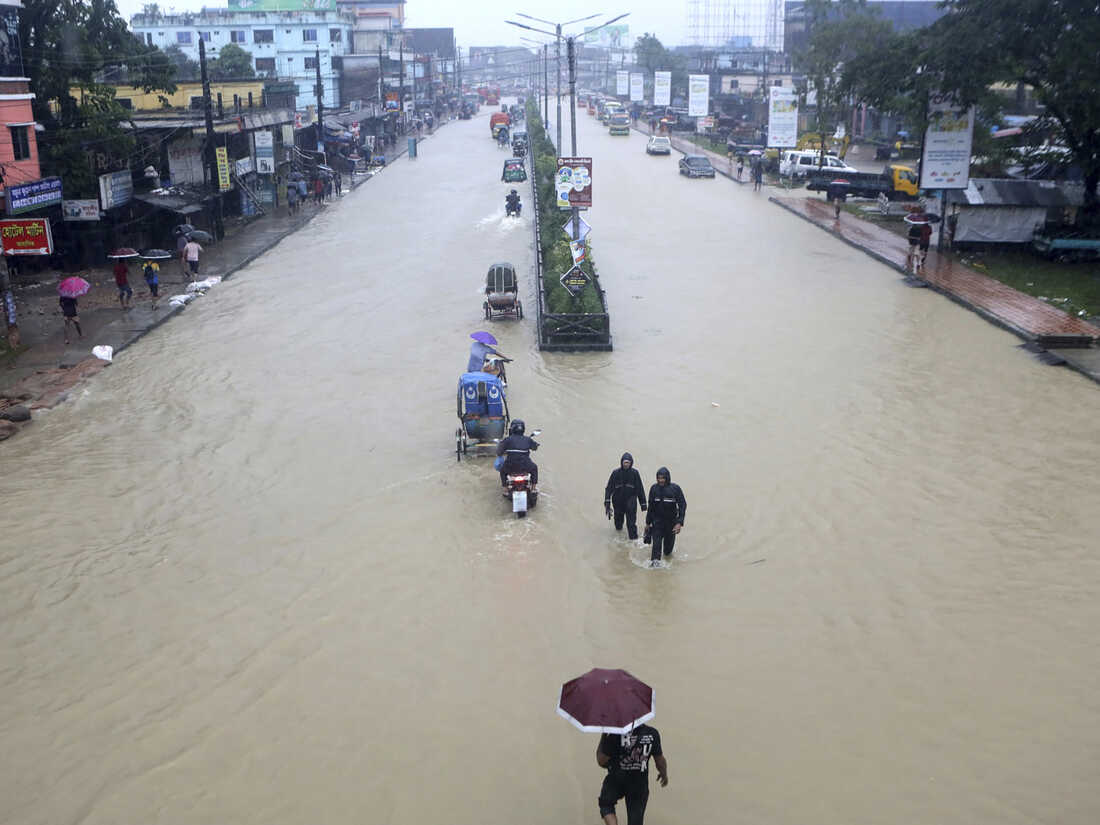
x=1030 y=318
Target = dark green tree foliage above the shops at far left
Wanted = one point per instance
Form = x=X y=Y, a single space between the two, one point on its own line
x=70 y=49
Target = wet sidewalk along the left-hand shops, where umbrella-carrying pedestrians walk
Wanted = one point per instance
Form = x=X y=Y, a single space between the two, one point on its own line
x=46 y=370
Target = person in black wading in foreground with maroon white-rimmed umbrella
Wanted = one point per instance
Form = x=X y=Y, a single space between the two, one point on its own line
x=618 y=705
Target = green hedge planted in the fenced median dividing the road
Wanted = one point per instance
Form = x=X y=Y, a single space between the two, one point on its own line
x=557 y=258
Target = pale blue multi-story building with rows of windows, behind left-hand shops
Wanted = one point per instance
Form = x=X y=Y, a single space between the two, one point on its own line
x=288 y=39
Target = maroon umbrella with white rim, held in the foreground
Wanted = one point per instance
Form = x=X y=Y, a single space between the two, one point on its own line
x=607 y=702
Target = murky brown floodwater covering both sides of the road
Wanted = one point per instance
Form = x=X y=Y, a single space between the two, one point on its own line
x=244 y=579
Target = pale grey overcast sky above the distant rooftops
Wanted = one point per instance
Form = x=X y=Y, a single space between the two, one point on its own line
x=480 y=23
